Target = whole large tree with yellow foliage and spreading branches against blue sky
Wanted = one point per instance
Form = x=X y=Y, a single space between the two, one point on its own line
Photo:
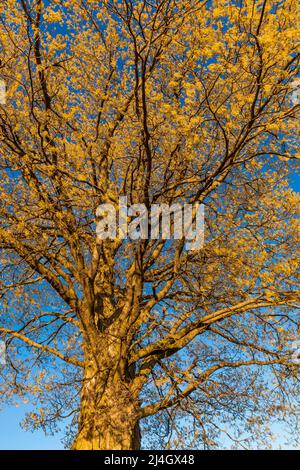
x=163 y=102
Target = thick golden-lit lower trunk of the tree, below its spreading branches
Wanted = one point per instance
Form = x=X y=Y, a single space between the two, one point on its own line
x=109 y=411
